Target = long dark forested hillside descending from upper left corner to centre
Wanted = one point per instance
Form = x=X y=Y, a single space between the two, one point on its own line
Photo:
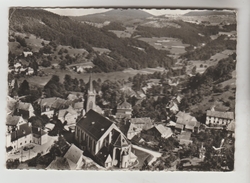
x=66 y=31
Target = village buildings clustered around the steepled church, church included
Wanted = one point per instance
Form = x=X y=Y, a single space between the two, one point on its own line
x=98 y=135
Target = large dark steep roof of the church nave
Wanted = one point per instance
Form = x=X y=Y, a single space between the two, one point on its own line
x=94 y=124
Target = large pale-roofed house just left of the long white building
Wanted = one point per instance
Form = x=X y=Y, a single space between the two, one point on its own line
x=186 y=122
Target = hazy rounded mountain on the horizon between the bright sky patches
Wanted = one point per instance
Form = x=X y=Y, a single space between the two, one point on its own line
x=114 y=15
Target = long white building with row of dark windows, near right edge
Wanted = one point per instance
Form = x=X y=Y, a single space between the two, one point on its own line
x=219 y=118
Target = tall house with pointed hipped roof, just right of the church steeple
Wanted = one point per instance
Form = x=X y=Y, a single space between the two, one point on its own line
x=124 y=110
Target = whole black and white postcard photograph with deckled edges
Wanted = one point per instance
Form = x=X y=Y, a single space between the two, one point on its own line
x=121 y=89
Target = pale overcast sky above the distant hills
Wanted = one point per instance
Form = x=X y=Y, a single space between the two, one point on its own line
x=79 y=12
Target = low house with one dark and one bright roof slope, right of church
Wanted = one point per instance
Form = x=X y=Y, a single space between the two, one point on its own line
x=160 y=131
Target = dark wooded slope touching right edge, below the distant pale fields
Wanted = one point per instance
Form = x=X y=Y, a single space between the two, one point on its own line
x=211 y=48
